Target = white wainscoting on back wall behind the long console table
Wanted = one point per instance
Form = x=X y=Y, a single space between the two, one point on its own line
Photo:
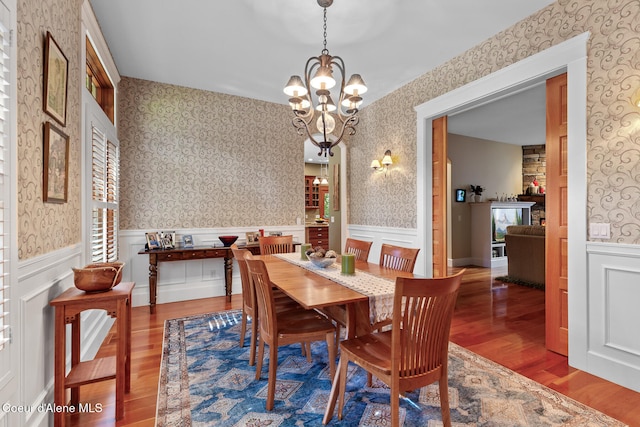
x=186 y=280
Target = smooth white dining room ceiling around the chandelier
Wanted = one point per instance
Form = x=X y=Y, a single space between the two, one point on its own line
x=250 y=48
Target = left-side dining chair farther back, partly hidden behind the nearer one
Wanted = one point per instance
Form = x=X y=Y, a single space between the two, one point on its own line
x=249 y=307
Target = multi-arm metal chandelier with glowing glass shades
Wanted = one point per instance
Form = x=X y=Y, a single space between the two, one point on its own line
x=313 y=98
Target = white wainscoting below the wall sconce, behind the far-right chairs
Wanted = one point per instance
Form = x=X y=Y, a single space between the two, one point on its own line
x=406 y=237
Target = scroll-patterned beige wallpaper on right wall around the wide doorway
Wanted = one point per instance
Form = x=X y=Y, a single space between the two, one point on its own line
x=613 y=125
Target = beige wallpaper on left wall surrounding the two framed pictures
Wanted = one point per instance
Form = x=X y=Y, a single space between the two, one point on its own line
x=45 y=227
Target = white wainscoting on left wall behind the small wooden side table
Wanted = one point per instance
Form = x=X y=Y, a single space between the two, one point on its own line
x=39 y=280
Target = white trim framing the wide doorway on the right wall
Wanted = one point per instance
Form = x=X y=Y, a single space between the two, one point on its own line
x=569 y=56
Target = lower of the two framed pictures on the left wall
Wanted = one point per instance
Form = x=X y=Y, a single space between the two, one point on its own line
x=56 y=165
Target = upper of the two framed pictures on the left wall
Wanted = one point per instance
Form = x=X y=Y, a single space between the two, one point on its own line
x=56 y=71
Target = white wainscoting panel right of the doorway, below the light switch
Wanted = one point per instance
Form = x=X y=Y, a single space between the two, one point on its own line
x=613 y=296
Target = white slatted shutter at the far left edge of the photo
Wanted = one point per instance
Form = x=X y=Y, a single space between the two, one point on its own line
x=4 y=191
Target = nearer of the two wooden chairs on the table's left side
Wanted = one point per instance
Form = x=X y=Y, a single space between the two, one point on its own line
x=278 y=329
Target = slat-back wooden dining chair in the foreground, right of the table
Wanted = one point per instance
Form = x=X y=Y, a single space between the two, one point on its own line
x=414 y=353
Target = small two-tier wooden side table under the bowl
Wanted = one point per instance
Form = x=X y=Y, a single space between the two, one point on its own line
x=68 y=306
